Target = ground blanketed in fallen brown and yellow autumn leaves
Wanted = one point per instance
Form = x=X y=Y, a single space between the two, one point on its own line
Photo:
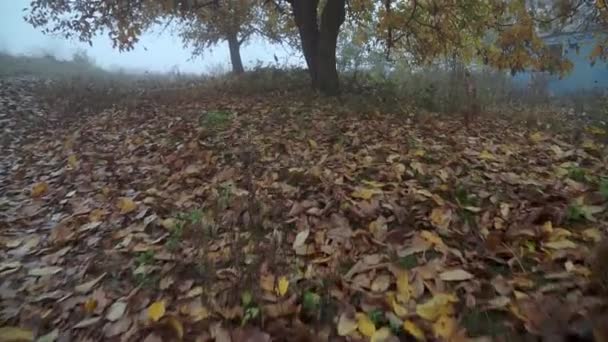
x=193 y=216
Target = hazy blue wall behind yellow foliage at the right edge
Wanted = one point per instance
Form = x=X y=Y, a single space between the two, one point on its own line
x=583 y=76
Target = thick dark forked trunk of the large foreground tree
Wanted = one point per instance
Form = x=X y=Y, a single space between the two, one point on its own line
x=319 y=41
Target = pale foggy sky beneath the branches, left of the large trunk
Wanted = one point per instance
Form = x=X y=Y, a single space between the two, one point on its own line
x=164 y=51
